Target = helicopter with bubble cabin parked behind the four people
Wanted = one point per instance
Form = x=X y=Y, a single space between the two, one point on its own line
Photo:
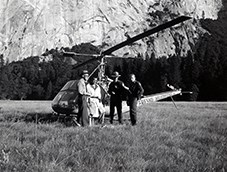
x=65 y=101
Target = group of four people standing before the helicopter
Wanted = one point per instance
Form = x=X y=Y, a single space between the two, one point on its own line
x=89 y=98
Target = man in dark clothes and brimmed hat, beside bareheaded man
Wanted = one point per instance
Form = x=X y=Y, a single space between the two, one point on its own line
x=116 y=90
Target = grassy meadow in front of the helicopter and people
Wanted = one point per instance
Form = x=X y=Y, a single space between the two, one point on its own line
x=190 y=138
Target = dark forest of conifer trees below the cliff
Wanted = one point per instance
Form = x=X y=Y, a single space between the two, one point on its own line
x=203 y=71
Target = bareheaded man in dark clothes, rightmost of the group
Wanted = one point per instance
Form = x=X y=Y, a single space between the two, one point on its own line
x=135 y=92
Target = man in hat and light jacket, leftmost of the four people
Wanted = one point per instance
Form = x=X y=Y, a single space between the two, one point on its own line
x=82 y=99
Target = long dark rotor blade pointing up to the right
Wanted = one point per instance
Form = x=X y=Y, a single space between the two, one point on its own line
x=146 y=33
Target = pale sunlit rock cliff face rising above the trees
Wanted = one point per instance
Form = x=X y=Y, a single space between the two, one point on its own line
x=29 y=27
